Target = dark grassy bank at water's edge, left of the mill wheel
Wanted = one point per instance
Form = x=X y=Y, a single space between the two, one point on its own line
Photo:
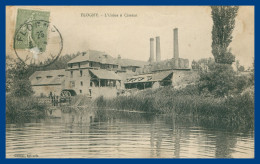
x=23 y=109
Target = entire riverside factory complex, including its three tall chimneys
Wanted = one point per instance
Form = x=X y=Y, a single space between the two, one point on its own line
x=96 y=73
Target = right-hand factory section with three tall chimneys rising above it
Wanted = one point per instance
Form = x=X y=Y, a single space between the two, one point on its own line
x=158 y=73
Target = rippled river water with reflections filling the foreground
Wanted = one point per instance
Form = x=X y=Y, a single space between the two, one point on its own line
x=93 y=133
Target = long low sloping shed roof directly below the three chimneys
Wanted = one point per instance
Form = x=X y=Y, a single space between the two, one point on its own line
x=159 y=76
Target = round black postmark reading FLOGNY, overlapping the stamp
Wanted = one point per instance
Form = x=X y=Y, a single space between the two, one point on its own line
x=38 y=43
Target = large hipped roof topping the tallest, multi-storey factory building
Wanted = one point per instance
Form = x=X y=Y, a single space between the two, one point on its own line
x=95 y=56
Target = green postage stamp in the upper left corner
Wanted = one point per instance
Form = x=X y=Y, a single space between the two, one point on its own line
x=31 y=29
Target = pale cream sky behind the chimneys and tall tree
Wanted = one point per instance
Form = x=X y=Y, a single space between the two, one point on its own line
x=129 y=37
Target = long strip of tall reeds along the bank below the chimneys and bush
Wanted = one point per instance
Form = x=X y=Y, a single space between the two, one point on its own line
x=236 y=111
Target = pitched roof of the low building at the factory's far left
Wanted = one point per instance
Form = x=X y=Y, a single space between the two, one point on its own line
x=40 y=77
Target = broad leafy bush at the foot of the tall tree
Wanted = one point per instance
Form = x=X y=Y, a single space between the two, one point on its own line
x=221 y=80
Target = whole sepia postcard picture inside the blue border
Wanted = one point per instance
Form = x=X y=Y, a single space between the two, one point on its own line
x=130 y=82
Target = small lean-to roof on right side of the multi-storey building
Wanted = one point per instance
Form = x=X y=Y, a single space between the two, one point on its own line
x=104 y=74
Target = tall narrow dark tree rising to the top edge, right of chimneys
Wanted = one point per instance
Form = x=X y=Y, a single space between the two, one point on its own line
x=223 y=25
